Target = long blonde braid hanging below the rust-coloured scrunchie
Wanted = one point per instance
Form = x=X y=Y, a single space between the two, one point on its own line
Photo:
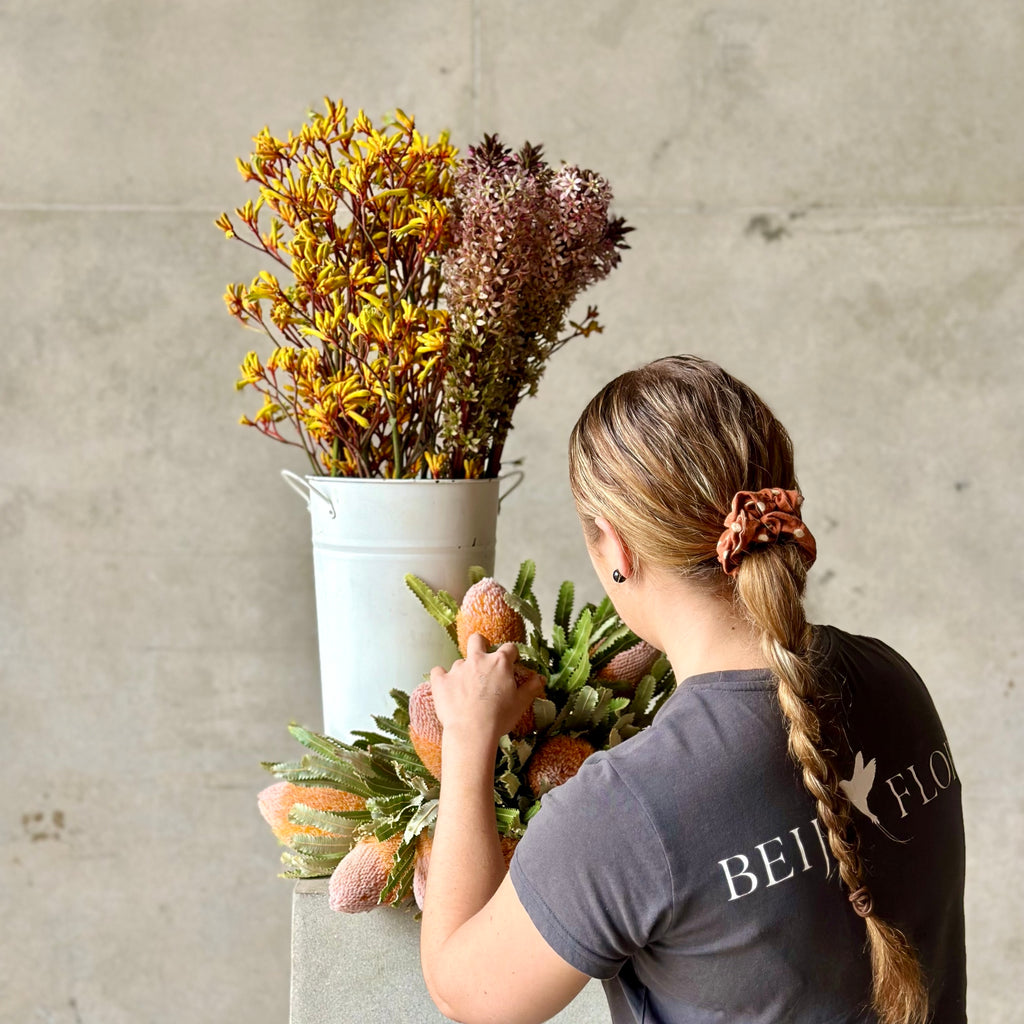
x=770 y=588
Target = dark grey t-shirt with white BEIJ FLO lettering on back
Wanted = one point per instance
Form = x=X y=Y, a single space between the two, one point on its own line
x=688 y=868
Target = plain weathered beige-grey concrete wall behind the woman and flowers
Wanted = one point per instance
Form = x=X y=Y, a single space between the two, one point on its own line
x=829 y=200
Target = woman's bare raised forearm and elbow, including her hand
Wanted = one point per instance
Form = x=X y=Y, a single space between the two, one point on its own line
x=484 y=960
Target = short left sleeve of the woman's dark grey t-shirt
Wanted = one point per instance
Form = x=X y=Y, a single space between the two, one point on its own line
x=592 y=873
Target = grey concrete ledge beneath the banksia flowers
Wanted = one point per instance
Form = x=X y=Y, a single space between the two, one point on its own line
x=366 y=968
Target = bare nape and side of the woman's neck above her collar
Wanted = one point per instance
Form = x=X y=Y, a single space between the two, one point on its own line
x=699 y=632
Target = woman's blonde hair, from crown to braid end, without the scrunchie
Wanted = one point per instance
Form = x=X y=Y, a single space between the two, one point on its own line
x=660 y=453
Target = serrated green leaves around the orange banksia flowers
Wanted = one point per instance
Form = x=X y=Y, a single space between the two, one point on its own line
x=382 y=765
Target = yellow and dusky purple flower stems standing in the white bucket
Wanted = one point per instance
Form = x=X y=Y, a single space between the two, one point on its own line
x=413 y=297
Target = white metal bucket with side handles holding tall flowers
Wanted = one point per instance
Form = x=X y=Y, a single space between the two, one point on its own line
x=368 y=534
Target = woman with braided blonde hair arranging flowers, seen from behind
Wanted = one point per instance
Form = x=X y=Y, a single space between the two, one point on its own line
x=785 y=843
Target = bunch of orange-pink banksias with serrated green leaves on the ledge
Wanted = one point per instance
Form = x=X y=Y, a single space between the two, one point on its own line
x=363 y=813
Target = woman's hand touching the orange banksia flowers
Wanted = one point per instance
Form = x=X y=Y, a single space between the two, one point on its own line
x=483 y=696
